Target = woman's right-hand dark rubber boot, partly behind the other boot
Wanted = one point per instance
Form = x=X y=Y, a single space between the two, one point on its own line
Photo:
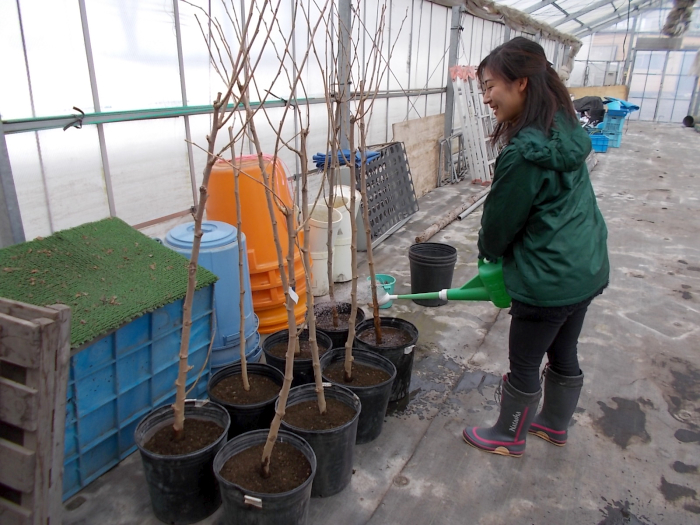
x=560 y=398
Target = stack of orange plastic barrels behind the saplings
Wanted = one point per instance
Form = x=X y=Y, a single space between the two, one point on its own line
x=265 y=279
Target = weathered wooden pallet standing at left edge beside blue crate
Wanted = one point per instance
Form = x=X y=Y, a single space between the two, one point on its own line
x=34 y=363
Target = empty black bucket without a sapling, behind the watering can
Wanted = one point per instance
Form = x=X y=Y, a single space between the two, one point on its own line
x=432 y=265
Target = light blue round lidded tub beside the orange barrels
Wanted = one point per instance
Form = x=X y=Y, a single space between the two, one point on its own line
x=219 y=254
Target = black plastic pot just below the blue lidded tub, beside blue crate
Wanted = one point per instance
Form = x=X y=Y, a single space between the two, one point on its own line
x=247 y=417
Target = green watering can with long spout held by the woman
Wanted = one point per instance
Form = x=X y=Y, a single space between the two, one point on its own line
x=487 y=285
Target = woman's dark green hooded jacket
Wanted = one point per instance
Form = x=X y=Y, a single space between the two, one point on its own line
x=541 y=216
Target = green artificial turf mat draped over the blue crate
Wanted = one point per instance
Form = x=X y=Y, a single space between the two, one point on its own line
x=106 y=271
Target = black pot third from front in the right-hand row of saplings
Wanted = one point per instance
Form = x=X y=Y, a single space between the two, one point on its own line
x=374 y=398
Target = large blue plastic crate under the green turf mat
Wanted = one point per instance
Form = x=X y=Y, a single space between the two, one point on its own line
x=118 y=379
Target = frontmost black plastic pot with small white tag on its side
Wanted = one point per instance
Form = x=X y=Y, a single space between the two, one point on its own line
x=245 y=507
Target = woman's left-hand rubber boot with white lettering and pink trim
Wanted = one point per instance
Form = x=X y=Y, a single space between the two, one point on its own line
x=507 y=436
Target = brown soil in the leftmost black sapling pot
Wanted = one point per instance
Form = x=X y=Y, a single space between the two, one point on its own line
x=196 y=435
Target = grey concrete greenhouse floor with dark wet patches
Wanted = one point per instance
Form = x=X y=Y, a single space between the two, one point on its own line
x=634 y=448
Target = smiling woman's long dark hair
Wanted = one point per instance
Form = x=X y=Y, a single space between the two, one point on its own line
x=545 y=93
